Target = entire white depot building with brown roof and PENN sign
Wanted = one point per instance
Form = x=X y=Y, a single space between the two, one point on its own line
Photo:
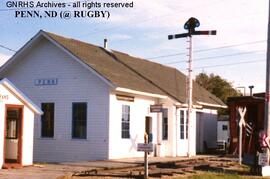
x=96 y=102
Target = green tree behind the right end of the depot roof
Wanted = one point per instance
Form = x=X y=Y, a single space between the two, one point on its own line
x=218 y=86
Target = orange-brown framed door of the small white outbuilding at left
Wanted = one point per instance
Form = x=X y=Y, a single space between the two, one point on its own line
x=13 y=134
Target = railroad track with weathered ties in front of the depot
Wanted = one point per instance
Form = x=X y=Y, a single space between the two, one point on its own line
x=170 y=169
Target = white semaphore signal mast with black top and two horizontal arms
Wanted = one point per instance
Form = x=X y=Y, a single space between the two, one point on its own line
x=190 y=25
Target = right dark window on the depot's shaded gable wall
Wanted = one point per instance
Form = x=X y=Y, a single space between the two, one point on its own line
x=79 y=120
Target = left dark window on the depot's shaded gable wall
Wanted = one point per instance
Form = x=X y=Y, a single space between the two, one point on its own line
x=47 y=120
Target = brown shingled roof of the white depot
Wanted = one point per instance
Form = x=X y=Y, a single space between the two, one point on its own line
x=133 y=73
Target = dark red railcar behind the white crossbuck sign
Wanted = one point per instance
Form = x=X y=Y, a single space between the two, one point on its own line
x=254 y=117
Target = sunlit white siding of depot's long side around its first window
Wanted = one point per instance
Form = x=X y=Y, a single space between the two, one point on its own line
x=139 y=110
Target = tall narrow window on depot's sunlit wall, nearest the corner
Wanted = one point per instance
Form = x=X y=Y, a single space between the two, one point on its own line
x=125 y=132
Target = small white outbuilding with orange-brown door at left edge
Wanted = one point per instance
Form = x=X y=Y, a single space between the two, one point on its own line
x=17 y=113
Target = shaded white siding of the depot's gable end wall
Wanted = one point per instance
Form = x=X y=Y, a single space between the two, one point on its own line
x=75 y=84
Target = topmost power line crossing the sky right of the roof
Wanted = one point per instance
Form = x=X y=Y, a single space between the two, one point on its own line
x=209 y=49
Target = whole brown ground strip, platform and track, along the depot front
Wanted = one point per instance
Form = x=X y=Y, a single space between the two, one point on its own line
x=128 y=168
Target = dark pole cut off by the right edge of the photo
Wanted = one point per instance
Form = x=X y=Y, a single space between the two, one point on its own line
x=267 y=92
